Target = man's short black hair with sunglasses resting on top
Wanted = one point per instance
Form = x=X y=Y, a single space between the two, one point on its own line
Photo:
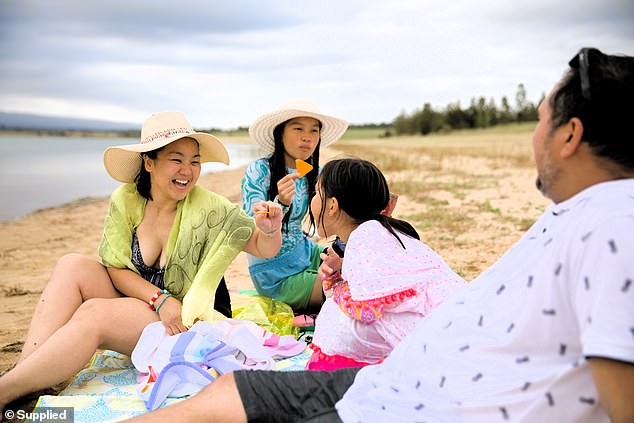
x=602 y=100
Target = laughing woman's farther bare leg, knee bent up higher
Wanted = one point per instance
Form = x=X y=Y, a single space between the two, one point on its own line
x=74 y=279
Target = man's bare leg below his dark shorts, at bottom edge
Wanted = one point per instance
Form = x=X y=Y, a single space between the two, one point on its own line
x=218 y=402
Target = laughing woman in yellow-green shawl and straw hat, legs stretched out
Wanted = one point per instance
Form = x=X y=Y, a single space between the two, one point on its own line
x=166 y=245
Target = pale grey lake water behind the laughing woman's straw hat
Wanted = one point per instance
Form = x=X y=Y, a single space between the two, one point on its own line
x=39 y=171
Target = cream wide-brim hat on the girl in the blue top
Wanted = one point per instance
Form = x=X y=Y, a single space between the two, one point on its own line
x=261 y=131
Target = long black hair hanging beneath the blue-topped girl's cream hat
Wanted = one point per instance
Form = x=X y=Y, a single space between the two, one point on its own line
x=277 y=164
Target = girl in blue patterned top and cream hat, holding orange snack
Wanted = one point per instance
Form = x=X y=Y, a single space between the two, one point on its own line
x=297 y=130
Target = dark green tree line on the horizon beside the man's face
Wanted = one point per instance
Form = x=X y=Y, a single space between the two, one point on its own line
x=480 y=114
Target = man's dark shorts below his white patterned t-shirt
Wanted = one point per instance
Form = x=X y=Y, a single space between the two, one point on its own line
x=270 y=396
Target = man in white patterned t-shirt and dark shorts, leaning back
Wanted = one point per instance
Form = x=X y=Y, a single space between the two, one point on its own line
x=545 y=335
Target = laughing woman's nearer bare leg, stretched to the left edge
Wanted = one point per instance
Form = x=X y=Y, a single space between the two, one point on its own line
x=114 y=324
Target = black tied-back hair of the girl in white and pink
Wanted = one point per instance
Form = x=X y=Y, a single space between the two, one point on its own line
x=362 y=193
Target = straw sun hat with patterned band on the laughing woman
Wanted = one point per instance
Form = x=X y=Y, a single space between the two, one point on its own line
x=123 y=162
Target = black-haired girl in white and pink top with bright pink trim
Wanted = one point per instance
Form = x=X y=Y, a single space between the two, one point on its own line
x=389 y=279
